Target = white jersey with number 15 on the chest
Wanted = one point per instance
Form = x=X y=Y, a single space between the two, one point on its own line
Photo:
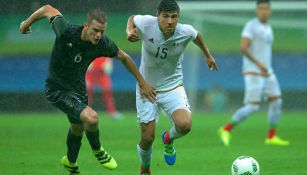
x=161 y=62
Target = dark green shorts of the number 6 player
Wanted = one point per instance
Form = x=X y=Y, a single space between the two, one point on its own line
x=72 y=104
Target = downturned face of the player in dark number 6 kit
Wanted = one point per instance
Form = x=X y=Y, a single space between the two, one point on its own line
x=95 y=31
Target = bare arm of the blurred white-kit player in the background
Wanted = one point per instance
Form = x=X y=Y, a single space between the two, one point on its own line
x=245 y=43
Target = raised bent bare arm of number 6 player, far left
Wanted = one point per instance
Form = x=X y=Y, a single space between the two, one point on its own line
x=45 y=11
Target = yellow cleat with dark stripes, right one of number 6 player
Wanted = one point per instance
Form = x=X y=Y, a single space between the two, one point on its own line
x=105 y=159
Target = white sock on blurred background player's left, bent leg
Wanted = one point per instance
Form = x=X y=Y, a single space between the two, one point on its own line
x=244 y=112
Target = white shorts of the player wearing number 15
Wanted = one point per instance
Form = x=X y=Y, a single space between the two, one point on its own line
x=168 y=101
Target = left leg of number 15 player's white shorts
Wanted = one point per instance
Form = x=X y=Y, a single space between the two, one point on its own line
x=146 y=110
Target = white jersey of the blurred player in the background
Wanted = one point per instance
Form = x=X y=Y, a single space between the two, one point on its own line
x=261 y=36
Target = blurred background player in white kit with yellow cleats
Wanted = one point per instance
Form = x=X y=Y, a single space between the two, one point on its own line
x=260 y=80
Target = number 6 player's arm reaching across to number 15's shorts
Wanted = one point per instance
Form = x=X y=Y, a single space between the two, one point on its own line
x=146 y=90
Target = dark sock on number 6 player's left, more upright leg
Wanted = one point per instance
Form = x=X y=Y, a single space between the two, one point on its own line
x=73 y=146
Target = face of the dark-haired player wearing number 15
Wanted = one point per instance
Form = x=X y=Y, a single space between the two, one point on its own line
x=168 y=21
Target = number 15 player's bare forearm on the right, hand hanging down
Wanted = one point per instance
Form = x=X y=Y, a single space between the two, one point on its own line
x=199 y=41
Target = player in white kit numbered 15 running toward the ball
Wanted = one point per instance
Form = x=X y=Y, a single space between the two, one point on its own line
x=163 y=43
